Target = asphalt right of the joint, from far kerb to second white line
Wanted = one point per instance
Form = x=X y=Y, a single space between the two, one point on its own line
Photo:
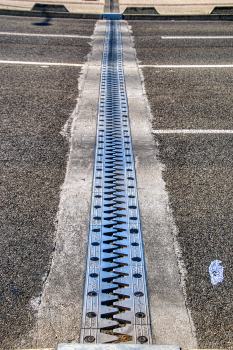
x=152 y=49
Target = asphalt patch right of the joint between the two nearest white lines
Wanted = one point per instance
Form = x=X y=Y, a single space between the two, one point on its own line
x=190 y=98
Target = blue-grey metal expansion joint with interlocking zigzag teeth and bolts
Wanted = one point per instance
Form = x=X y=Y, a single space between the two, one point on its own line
x=115 y=306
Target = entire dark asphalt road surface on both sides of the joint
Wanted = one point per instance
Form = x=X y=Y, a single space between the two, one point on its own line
x=37 y=100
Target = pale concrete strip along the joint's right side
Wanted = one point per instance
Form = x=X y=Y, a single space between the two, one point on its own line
x=171 y=321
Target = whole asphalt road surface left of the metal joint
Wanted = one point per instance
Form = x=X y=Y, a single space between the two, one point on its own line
x=36 y=101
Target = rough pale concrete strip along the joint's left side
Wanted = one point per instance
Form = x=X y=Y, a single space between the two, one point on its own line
x=59 y=310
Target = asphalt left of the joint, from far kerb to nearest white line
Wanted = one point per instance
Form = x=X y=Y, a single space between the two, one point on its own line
x=47 y=49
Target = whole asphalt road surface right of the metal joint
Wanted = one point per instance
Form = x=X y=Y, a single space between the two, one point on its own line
x=198 y=166
